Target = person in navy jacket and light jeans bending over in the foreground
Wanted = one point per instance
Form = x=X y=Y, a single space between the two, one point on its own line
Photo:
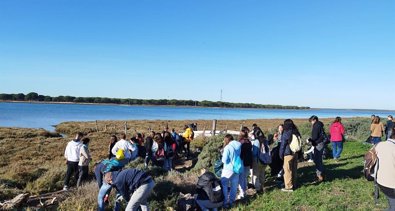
x=133 y=186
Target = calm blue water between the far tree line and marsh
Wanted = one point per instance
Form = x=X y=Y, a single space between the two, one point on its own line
x=33 y=115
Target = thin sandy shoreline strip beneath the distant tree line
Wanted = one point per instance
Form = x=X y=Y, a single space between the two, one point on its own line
x=171 y=106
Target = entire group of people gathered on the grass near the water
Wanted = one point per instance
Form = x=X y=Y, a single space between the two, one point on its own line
x=244 y=158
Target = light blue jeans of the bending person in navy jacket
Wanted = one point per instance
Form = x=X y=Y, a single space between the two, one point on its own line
x=140 y=196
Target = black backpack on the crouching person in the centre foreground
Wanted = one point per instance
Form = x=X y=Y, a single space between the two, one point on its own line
x=210 y=185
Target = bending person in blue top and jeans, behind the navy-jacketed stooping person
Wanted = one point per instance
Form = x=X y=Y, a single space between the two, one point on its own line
x=109 y=165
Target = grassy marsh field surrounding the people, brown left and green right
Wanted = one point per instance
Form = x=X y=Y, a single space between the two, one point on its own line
x=32 y=161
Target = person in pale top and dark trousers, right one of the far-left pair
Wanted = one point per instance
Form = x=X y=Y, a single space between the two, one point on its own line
x=85 y=158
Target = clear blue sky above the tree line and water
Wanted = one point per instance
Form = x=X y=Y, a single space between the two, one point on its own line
x=327 y=54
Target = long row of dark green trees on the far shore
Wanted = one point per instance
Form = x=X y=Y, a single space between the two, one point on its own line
x=32 y=96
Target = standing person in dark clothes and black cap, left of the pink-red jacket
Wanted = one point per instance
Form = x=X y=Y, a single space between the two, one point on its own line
x=318 y=141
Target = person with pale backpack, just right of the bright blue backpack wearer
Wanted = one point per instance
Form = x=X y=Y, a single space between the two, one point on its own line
x=258 y=168
